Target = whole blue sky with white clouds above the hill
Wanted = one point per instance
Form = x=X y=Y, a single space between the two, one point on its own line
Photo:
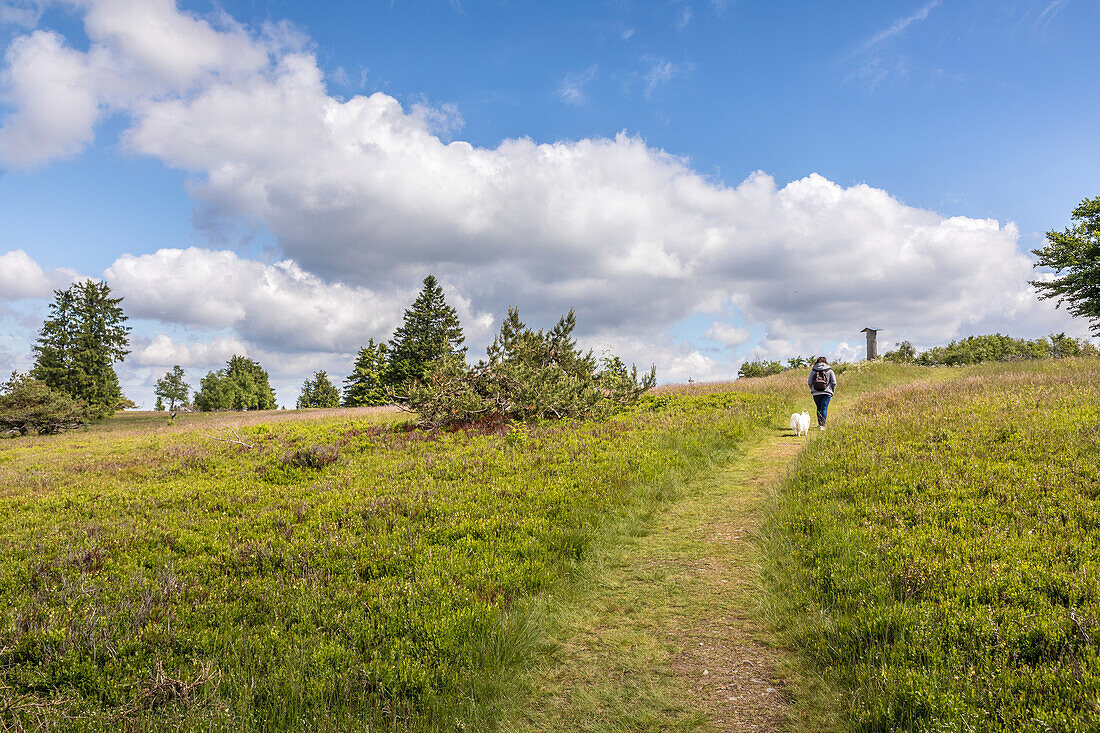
x=706 y=182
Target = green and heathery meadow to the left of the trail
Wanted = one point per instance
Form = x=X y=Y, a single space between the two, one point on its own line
x=340 y=574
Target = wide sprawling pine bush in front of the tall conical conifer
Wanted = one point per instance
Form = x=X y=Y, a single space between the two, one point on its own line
x=529 y=376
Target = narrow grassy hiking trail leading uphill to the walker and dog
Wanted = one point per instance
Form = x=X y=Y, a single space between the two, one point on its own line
x=663 y=633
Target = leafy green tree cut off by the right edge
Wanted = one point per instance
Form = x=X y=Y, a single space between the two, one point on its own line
x=1075 y=253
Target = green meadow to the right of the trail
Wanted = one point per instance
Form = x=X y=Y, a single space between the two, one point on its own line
x=934 y=564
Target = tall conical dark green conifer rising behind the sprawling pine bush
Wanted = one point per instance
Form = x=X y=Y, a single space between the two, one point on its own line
x=431 y=331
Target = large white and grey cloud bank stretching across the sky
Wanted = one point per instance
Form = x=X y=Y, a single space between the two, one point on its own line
x=365 y=198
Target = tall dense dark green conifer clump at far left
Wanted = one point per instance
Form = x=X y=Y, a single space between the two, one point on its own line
x=79 y=344
